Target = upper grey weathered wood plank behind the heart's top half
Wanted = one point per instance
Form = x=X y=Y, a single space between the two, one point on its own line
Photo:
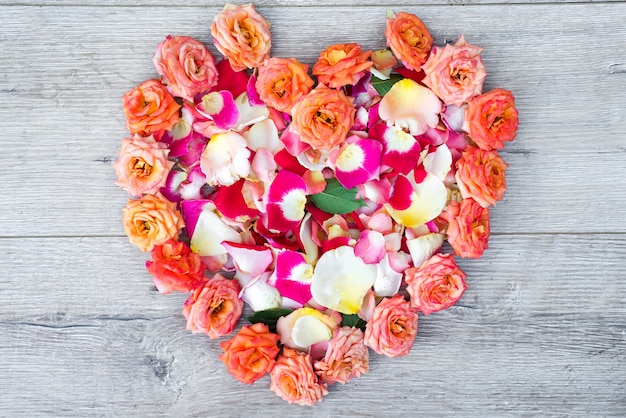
x=62 y=122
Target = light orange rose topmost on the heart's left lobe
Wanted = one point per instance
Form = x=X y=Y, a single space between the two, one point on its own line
x=242 y=35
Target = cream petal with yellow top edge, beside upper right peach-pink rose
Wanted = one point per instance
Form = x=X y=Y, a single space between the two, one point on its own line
x=411 y=107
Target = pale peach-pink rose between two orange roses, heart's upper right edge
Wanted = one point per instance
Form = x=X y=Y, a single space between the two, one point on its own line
x=455 y=73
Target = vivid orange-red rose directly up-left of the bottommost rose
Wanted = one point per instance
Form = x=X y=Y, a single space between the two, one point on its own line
x=251 y=353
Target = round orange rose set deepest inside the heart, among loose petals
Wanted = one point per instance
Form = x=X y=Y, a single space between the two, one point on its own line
x=323 y=117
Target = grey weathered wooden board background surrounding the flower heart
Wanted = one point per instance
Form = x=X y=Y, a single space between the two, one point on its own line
x=540 y=332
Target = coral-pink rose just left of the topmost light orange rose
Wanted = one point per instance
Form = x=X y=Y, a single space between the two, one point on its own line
x=187 y=67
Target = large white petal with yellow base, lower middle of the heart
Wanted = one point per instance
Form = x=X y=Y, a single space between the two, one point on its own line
x=341 y=280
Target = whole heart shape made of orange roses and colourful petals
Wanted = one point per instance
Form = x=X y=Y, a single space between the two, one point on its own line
x=327 y=199
